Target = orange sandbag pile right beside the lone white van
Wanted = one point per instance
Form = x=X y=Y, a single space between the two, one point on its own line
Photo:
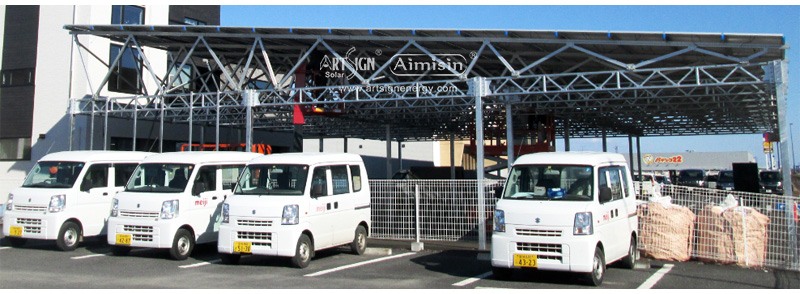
x=665 y=231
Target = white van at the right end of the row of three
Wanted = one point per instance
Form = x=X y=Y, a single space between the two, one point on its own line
x=294 y=204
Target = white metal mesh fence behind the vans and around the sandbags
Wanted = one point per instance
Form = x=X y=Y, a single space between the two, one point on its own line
x=760 y=232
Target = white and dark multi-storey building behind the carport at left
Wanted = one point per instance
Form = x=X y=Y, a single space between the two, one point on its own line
x=41 y=71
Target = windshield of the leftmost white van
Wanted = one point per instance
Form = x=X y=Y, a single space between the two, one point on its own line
x=53 y=174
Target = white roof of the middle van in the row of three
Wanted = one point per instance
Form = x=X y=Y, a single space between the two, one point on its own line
x=201 y=157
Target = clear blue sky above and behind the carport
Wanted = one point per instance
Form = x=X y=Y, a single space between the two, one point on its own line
x=783 y=20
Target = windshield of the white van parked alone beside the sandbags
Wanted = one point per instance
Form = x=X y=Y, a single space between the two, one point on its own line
x=551 y=182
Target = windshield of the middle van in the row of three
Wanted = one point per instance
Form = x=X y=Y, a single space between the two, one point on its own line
x=160 y=178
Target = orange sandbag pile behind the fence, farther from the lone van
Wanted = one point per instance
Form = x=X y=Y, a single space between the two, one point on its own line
x=734 y=235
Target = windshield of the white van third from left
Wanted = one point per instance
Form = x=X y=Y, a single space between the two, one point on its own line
x=273 y=179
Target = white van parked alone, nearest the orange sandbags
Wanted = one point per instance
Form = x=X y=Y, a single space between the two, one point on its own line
x=566 y=211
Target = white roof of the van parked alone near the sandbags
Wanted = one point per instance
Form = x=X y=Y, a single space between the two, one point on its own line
x=577 y=158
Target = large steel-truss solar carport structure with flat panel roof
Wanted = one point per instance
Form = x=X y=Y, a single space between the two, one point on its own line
x=413 y=85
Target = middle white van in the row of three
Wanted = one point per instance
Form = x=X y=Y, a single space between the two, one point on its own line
x=174 y=200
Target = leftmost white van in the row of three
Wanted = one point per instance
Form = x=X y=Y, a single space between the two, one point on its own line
x=66 y=196
